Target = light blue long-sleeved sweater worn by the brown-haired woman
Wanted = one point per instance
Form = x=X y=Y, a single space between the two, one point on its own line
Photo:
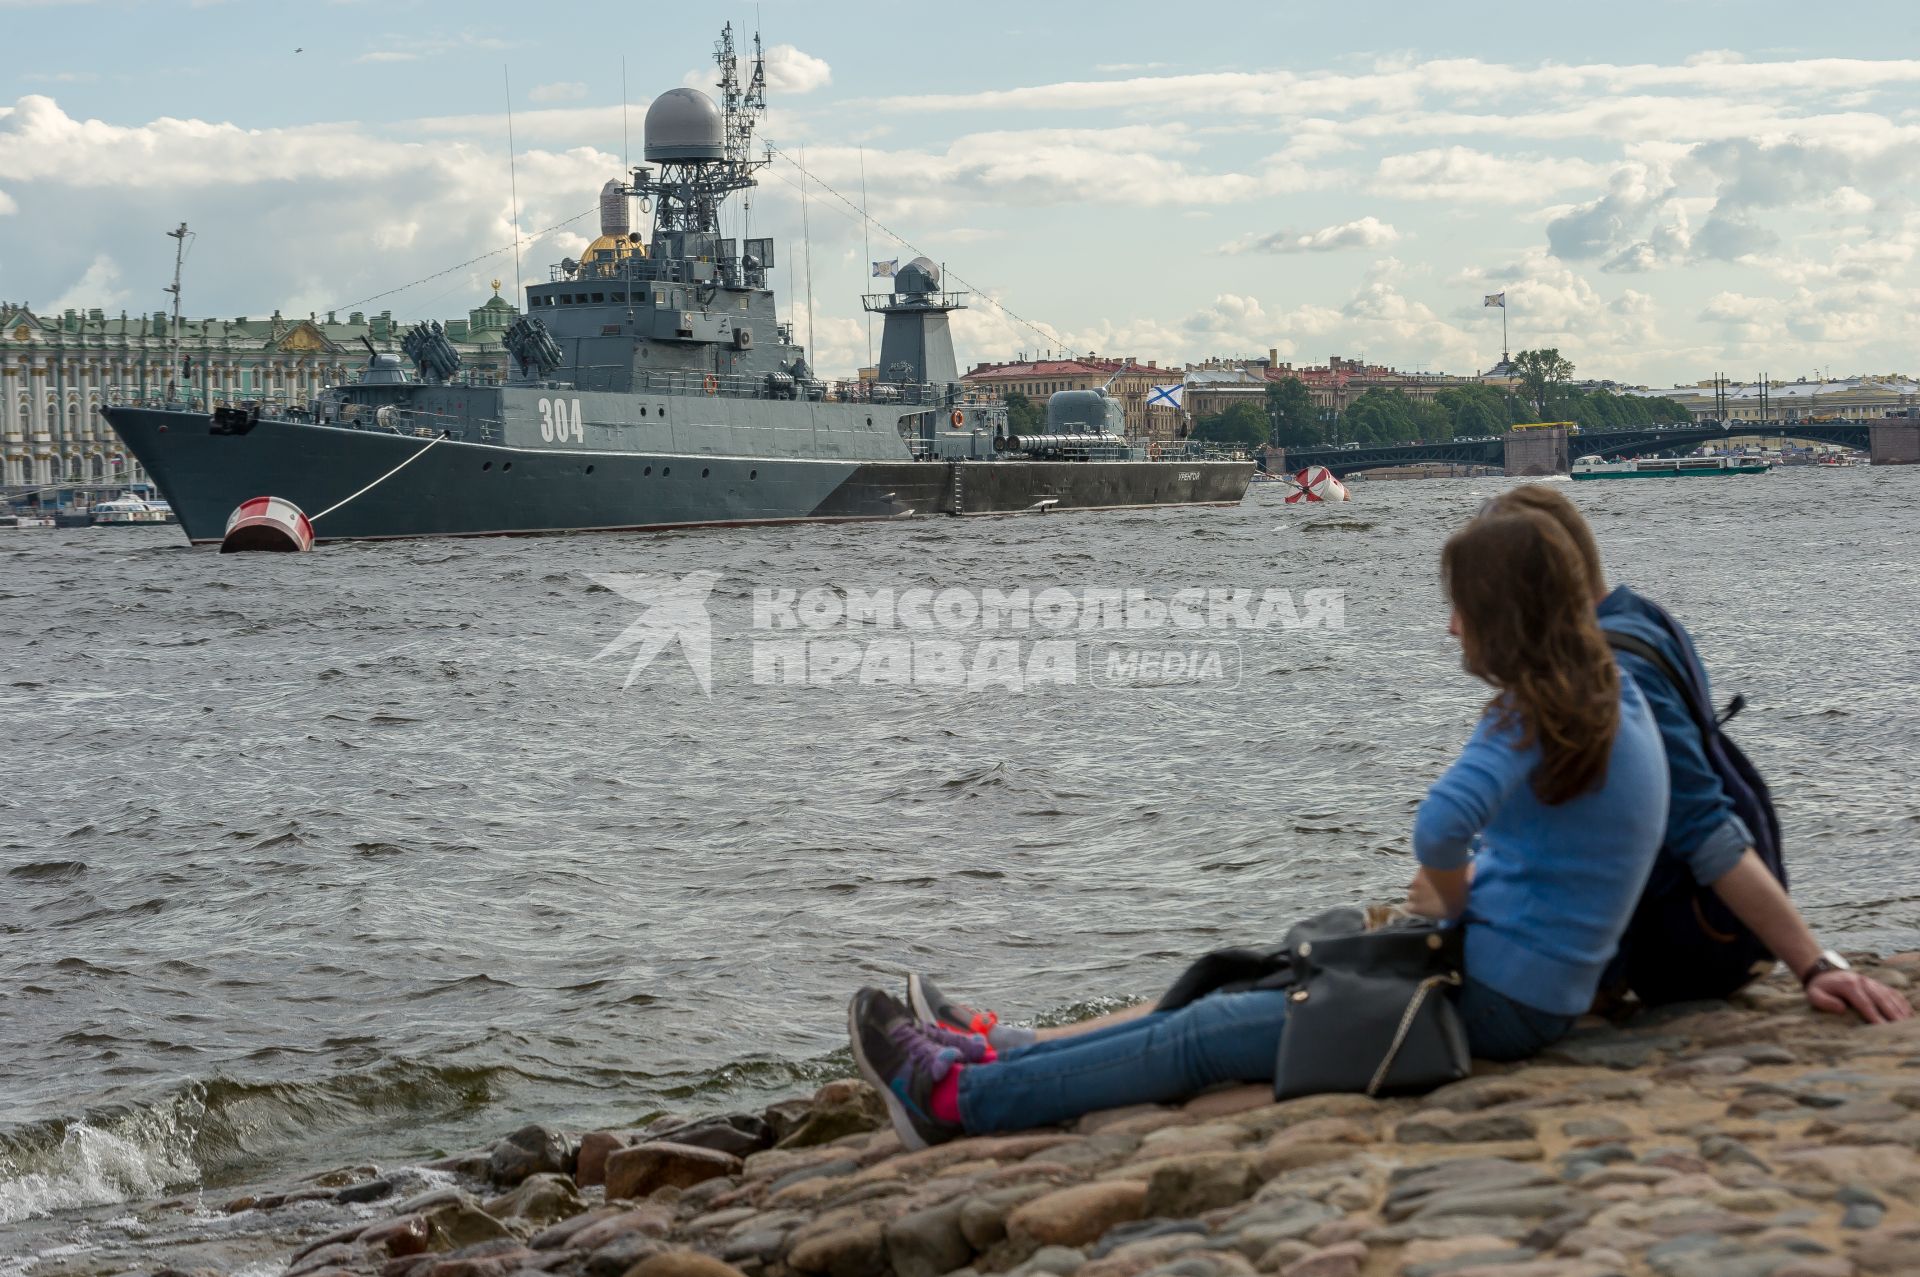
x=1552 y=886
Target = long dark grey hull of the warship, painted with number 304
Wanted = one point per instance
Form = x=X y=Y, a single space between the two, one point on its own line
x=460 y=489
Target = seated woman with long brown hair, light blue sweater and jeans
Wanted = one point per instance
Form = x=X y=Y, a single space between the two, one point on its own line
x=1537 y=840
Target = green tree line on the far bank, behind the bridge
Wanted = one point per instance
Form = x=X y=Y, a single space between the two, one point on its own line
x=1543 y=391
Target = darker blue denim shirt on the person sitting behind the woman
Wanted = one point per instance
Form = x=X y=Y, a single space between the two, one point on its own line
x=1702 y=829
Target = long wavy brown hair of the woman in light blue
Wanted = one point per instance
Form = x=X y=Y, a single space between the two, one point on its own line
x=1527 y=627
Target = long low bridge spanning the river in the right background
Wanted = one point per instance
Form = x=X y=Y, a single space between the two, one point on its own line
x=1552 y=450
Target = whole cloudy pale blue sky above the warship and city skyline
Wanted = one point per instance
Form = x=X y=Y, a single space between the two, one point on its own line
x=1662 y=189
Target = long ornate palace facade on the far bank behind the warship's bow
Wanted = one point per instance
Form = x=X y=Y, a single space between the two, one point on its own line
x=59 y=370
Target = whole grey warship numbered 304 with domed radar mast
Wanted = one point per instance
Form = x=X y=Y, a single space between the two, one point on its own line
x=652 y=385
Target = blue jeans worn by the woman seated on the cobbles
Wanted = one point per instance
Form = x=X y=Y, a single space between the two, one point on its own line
x=1168 y=1057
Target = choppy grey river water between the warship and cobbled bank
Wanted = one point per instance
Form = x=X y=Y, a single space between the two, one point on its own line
x=368 y=855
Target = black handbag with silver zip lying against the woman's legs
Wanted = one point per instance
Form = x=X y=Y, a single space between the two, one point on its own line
x=1372 y=1011
